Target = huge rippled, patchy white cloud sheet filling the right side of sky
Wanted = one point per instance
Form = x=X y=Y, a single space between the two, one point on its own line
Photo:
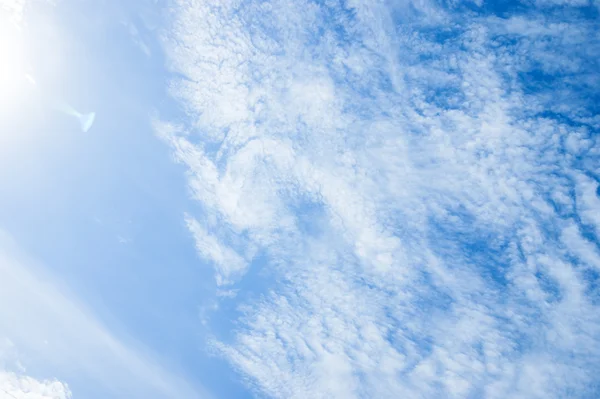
x=419 y=178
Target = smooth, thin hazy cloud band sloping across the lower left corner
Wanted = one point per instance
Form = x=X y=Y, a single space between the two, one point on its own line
x=57 y=334
